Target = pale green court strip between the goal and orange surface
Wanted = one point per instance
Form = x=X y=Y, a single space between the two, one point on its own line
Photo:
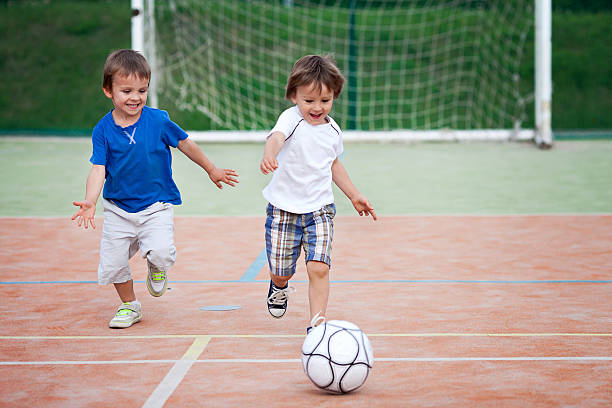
x=41 y=177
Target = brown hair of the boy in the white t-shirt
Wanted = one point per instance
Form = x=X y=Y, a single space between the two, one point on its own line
x=321 y=70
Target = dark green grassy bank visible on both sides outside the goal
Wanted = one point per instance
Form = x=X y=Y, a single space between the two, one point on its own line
x=52 y=53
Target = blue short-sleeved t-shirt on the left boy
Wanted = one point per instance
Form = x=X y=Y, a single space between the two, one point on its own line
x=137 y=159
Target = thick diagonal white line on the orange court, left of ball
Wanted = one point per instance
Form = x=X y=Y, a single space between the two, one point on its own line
x=176 y=374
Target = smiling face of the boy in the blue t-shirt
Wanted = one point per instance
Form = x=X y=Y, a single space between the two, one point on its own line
x=129 y=95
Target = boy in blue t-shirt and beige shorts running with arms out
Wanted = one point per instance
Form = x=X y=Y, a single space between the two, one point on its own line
x=132 y=160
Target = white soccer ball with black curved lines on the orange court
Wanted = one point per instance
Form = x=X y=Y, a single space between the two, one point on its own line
x=337 y=356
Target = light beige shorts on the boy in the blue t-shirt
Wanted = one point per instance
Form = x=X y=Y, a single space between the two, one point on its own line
x=123 y=234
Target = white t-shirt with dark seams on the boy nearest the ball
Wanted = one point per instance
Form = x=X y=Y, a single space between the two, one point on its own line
x=303 y=181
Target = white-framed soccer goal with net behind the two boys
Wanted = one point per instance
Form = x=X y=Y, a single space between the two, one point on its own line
x=416 y=69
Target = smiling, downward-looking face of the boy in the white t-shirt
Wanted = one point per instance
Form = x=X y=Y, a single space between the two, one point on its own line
x=314 y=103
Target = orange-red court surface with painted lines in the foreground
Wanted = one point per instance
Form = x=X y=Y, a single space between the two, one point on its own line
x=461 y=311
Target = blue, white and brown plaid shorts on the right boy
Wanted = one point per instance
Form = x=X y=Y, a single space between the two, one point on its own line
x=286 y=232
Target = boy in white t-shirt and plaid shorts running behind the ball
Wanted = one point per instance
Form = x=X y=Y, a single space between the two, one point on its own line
x=302 y=150
